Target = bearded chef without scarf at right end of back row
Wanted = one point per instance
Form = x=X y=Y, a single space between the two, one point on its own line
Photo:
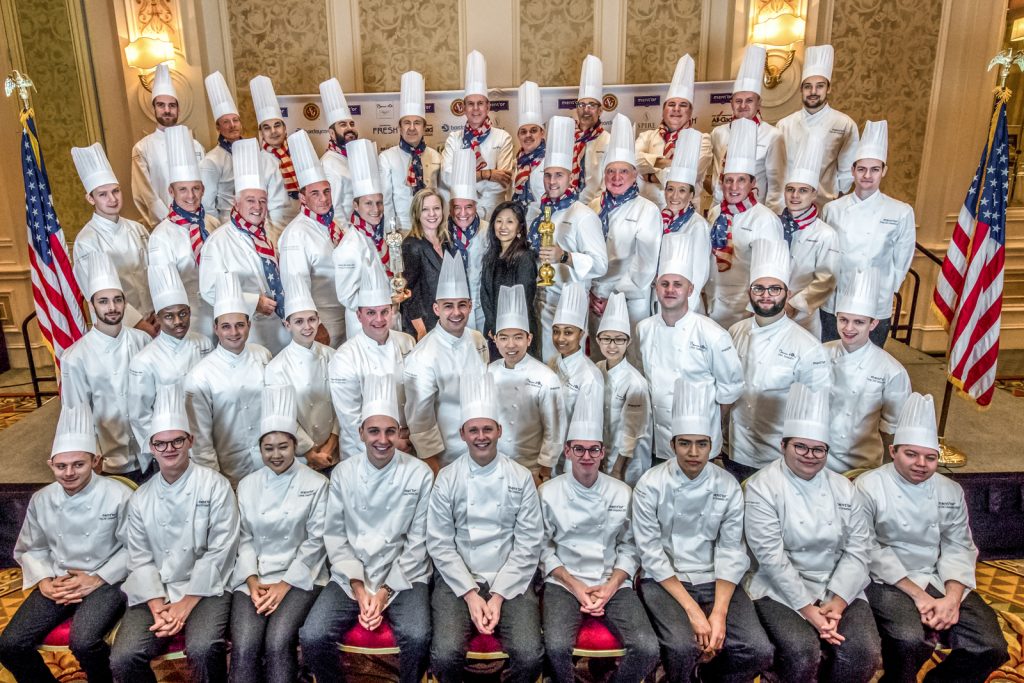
x=839 y=131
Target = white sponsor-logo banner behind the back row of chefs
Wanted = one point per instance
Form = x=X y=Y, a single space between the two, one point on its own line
x=376 y=114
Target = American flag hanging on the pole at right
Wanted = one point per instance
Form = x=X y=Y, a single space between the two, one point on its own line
x=969 y=293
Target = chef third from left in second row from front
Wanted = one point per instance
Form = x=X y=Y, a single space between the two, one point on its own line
x=225 y=390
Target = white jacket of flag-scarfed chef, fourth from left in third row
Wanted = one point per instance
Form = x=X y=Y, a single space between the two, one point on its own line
x=306 y=251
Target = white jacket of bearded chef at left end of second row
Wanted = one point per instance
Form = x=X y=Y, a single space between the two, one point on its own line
x=95 y=372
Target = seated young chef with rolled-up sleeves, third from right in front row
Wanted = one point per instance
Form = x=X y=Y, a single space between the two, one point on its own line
x=689 y=527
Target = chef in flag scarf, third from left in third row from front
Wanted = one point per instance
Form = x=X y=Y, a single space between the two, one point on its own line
x=242 y=246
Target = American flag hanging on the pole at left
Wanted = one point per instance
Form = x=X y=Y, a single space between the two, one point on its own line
x=58 y=296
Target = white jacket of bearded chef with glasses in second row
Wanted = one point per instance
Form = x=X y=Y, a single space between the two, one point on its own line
x=775 y=358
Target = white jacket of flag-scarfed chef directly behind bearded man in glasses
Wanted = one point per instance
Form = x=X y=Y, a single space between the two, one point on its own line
x=728 y=290
